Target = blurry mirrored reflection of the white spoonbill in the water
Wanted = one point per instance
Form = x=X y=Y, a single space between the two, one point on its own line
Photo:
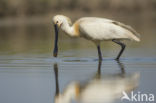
x=100 y=89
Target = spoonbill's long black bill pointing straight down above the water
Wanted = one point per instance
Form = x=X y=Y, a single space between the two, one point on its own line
x=56 y=41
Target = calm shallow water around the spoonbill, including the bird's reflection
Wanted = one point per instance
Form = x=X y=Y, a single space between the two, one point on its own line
x=29 y=73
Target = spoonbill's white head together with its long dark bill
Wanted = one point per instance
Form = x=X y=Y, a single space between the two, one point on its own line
x=58 y=21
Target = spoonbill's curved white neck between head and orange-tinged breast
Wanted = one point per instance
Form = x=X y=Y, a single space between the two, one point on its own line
x=69 y=30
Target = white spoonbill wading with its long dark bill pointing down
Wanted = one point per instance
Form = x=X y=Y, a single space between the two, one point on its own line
x=95 y=29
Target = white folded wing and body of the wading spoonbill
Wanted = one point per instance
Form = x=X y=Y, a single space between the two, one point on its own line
x=105 y=29
